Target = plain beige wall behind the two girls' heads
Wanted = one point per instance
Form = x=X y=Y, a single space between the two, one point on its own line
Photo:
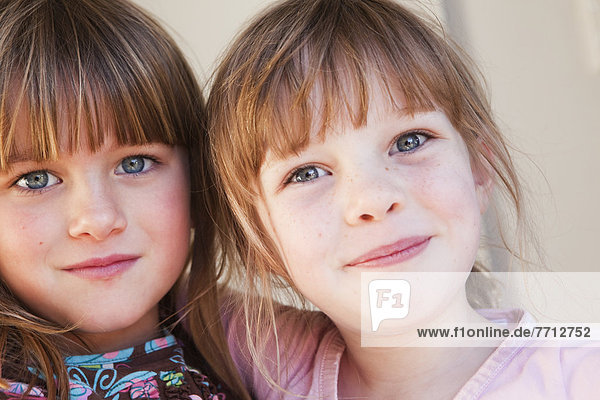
x=541 y=61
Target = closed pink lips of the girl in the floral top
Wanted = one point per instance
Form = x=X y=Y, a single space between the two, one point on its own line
x=103 y=267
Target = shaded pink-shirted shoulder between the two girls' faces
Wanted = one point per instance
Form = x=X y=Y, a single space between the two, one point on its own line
x=302 y=353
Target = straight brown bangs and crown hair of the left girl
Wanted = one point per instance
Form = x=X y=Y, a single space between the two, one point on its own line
x=72 y=75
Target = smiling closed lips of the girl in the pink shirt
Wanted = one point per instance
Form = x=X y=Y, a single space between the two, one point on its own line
x=391 y=254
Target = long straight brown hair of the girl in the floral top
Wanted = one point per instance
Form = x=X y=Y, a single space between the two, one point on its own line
x=108 y=66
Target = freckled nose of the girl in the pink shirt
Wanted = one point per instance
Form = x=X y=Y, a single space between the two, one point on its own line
x=372 y=196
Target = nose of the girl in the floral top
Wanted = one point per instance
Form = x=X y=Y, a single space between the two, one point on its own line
x=95 y=212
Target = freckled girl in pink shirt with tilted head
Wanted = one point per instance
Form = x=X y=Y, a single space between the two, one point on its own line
x=352 y=137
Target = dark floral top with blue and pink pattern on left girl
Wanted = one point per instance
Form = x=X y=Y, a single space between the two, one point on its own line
x=154 y=370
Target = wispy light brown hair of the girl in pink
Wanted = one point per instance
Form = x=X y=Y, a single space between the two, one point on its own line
x=302 y=53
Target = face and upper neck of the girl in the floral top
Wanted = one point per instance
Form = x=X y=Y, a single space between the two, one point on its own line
x=96 y=238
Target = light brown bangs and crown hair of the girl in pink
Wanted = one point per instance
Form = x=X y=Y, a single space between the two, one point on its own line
x=292 y=83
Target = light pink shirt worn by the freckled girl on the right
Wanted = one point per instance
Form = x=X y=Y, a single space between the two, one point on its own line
x=312 y=348
